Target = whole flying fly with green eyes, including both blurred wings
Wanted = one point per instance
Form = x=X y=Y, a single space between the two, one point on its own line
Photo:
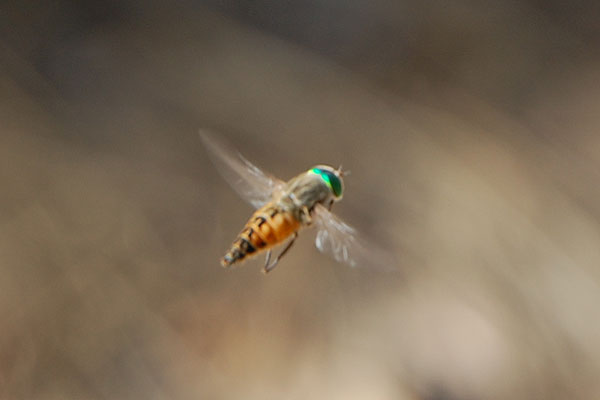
x=283 y=208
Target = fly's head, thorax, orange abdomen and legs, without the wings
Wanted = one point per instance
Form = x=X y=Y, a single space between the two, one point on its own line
x=285 y=215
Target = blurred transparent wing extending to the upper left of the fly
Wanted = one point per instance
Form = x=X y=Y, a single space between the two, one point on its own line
x=249 y=181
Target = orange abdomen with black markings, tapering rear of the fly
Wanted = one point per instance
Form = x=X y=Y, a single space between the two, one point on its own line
x=268 y=226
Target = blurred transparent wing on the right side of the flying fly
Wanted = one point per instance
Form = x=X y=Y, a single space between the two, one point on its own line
x=346 y=245
